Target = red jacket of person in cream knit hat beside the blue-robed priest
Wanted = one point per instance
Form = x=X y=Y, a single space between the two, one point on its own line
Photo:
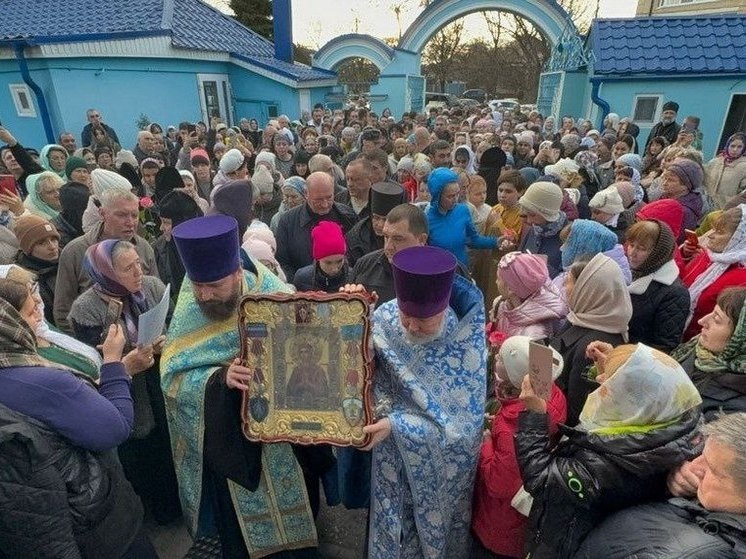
x=500 y=527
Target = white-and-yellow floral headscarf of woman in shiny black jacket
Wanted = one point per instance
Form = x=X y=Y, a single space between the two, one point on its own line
x=649 y=390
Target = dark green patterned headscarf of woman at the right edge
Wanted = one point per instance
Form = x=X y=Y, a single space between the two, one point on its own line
x=732 y=359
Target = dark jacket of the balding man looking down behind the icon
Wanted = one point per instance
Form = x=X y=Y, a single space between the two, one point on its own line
x=294 y=234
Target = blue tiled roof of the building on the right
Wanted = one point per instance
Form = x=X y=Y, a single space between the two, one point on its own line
x=675 y=45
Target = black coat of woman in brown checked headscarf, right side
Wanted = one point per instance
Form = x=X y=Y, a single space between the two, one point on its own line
x=659 y=315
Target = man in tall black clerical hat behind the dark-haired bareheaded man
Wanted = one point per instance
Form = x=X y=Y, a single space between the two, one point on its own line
x=367 y=234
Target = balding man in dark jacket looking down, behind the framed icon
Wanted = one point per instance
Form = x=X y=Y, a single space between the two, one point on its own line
x=294 y=226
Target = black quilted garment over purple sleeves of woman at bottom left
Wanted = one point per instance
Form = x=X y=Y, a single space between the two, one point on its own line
x=58 y=500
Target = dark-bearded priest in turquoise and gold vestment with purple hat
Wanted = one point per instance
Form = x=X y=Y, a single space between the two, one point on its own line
x=226 y=483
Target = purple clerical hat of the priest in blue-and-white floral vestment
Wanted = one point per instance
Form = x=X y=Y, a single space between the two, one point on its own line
x=423 y=277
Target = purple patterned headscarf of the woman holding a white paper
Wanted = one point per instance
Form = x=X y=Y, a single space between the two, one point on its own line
x=99 y=266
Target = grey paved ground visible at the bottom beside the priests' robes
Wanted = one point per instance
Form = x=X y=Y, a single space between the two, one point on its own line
x=341 y=535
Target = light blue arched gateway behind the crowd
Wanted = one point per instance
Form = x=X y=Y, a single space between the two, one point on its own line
x=401 y=87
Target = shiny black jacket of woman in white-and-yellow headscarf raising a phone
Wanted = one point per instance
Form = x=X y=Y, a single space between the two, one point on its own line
x=589 y=476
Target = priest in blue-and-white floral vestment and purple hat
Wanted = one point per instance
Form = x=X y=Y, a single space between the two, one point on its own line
x=429 y=389
